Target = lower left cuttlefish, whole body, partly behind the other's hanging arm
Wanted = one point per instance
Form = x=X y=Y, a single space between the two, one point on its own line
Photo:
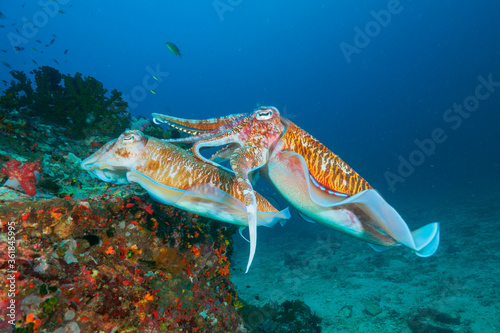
x=175 y=177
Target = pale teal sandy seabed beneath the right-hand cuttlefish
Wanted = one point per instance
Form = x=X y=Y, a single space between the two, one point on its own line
x=354 y=288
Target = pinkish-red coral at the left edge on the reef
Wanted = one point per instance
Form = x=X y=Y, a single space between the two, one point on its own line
x=24 y=175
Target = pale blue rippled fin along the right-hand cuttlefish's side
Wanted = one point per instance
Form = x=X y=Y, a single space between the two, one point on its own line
x=423 y=241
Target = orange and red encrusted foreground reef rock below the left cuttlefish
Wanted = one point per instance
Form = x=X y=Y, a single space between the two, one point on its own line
x=101 y=260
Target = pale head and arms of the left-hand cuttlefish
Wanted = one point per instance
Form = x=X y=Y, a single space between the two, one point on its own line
x=115 y=159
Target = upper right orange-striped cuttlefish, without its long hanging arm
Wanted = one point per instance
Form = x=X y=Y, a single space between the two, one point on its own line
x=320 y=185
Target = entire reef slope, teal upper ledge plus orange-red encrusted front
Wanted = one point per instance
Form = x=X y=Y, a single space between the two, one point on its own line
x=93 y=257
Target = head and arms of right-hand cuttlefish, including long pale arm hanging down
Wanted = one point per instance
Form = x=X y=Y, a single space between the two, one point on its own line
x=247 y=141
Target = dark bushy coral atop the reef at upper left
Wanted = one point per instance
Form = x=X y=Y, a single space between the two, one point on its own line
x=81 y=104
